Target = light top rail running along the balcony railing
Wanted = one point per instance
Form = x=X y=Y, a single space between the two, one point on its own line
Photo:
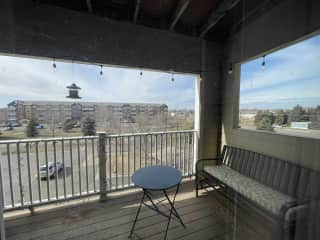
x=33 y=140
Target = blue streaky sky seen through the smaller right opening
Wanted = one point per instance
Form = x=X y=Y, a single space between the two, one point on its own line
x=291 y=76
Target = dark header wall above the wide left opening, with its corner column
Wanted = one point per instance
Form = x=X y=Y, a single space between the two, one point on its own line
x=31 y=29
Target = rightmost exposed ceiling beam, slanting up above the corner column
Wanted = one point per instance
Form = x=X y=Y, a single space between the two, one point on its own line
x=217 y=14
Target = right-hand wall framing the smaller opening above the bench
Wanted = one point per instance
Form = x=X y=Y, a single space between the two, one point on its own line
x=287 y=22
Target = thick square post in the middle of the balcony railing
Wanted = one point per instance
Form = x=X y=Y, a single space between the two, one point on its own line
x=102 y=165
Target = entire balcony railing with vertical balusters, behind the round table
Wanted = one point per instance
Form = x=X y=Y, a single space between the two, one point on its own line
x=90 y=165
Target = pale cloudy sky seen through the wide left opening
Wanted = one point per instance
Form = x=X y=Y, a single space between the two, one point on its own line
x=36 y=79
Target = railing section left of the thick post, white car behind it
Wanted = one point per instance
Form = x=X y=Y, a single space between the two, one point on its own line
x=21 y=161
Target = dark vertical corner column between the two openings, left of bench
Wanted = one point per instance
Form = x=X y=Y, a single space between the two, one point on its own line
x=210 y=99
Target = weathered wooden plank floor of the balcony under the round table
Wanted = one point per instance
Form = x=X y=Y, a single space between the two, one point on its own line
x=205 y=218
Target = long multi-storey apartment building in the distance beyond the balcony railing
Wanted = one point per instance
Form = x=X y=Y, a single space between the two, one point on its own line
x=60 y=111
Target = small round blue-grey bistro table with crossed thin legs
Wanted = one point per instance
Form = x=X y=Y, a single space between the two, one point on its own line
x=157 y=178
